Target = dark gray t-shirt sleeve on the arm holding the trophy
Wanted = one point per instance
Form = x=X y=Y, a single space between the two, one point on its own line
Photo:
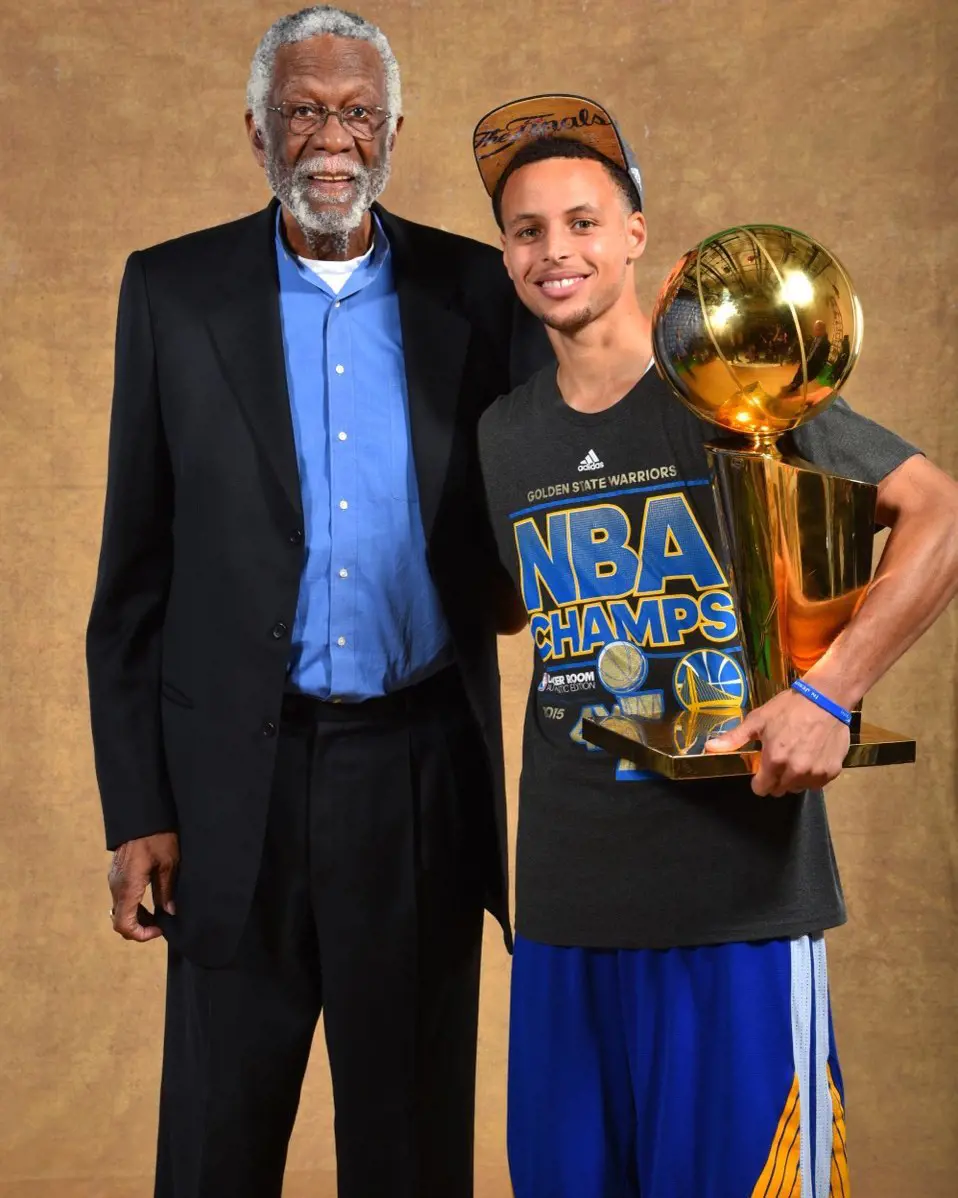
x=850 y=445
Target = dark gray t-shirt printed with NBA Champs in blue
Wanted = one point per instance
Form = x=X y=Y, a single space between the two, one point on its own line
x=608 y=527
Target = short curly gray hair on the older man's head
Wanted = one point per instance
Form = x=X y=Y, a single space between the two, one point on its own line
x=316 y=22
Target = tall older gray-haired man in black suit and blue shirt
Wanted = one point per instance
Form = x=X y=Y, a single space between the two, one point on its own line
x=292 y=650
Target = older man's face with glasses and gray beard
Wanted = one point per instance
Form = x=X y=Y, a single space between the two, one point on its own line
x=330 y=179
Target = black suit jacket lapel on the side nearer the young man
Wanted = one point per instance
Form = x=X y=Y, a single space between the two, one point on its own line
x=435 y=342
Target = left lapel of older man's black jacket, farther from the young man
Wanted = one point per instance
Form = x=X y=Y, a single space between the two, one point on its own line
x=248 y=337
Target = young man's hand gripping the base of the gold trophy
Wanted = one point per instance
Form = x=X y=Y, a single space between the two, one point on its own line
x=803 y=748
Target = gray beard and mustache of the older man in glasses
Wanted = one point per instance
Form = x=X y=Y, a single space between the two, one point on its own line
x=330 y=229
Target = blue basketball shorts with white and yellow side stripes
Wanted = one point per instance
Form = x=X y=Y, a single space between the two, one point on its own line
x=706 y=1073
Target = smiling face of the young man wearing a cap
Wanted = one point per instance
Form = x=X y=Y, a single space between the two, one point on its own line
x=569 y=240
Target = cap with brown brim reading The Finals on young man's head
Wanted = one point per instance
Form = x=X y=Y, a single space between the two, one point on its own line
x=504 y=132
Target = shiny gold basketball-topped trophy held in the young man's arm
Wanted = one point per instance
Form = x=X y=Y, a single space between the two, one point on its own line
x=757 y=330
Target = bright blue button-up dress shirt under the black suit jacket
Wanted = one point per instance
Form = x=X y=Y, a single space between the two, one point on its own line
x=368 y=620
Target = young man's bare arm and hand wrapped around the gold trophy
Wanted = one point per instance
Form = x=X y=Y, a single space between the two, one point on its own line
x=803 y=746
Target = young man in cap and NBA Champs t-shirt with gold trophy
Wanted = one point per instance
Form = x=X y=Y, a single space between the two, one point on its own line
x=671 y=1033
